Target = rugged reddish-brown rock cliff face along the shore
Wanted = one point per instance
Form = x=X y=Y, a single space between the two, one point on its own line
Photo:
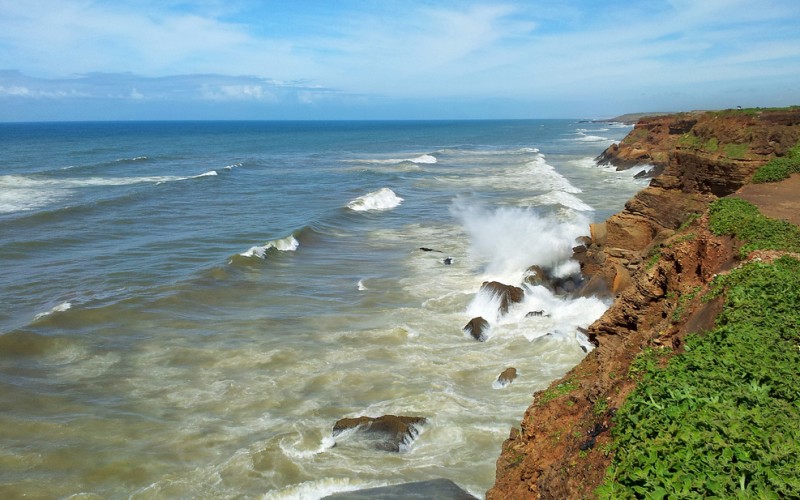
x=657 y=256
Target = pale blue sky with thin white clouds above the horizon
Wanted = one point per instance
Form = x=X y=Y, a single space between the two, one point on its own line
x=391 y=59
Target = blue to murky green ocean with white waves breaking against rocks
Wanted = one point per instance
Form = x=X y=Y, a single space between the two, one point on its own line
x=187 y=308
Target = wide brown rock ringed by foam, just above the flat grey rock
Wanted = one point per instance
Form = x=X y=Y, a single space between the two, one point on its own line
x=388 y=432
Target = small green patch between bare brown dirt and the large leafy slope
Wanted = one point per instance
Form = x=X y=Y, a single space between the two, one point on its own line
x=736 y=217
